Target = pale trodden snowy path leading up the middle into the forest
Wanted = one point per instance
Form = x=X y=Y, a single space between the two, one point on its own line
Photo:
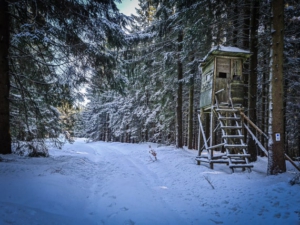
x=128 y=186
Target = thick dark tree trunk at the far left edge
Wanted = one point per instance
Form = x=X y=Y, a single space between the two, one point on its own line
x=5 y=139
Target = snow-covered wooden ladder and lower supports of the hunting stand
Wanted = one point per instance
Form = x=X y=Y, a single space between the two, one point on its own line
x=232 y=138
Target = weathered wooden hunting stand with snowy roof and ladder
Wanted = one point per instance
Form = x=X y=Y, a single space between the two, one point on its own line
x=221 y=138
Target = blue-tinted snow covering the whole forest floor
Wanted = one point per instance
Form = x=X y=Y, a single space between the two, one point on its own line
x=119 y=183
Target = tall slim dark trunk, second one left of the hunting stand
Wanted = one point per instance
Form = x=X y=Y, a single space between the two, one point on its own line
x=179 y=141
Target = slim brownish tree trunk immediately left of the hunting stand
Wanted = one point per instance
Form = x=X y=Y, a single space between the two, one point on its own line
x=191 y=114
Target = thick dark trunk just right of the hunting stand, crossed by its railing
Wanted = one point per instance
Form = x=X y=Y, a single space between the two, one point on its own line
x=252 y=78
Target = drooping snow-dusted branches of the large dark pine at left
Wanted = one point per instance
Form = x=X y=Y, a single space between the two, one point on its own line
x=55 y=47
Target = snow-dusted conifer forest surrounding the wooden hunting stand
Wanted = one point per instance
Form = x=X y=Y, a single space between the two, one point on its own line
x=82 y=68
